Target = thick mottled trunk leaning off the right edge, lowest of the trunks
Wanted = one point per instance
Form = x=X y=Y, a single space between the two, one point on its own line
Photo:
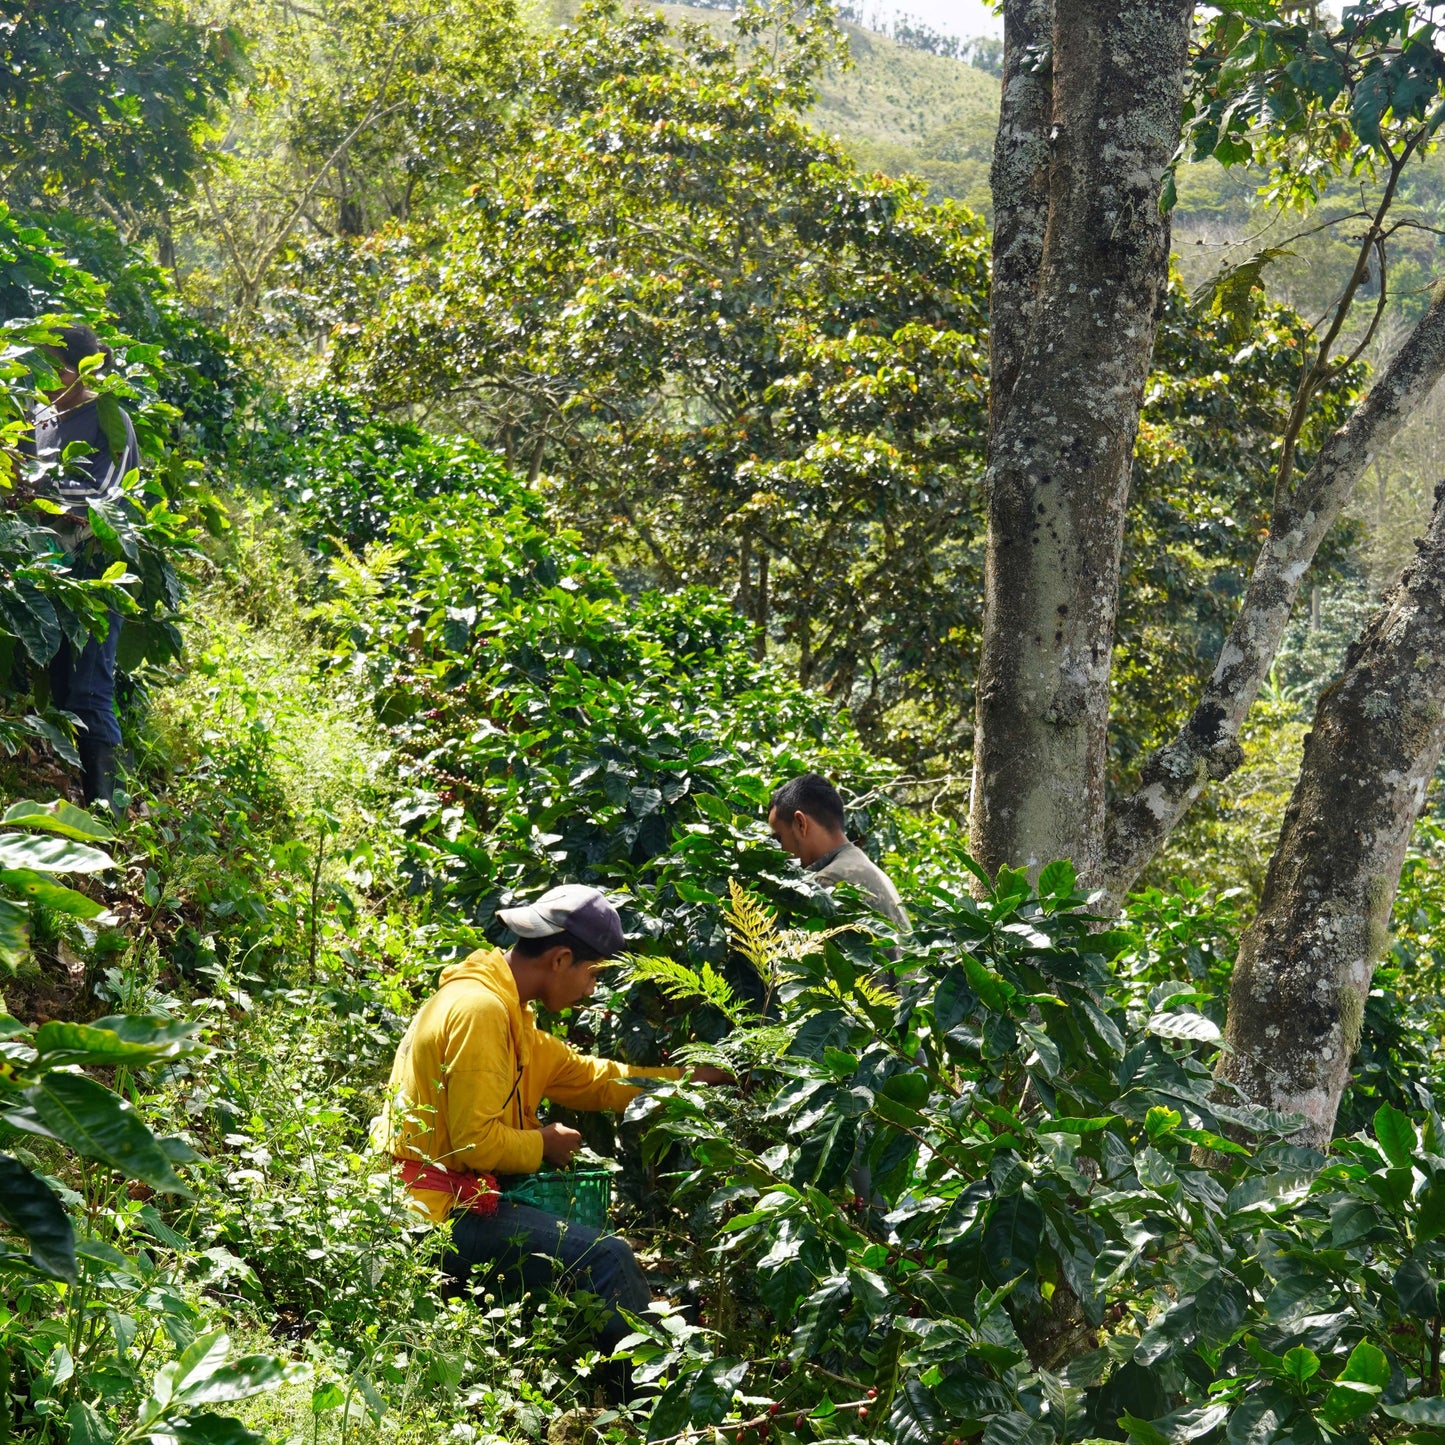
x=1306 y=965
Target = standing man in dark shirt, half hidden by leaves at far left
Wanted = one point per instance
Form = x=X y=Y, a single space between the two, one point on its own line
x=85 y=683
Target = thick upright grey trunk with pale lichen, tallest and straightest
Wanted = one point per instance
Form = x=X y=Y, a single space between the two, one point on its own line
x=1061 y=450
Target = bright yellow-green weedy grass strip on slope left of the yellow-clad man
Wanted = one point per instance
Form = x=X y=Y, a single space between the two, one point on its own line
x=245 y=749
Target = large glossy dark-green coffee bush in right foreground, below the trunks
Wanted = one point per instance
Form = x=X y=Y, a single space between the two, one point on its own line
x=993 y=1189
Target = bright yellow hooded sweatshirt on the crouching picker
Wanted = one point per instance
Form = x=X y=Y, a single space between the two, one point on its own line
x=475 y=1067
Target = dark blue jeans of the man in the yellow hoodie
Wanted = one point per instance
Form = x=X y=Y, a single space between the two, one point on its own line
x=543 y=1252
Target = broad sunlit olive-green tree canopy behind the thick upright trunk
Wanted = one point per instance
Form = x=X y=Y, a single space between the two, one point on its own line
x=741 y=361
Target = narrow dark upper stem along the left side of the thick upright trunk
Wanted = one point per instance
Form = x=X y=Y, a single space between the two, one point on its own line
x=1021 y=191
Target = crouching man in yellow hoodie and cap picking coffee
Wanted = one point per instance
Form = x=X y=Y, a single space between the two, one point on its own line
x=467 y=1083
